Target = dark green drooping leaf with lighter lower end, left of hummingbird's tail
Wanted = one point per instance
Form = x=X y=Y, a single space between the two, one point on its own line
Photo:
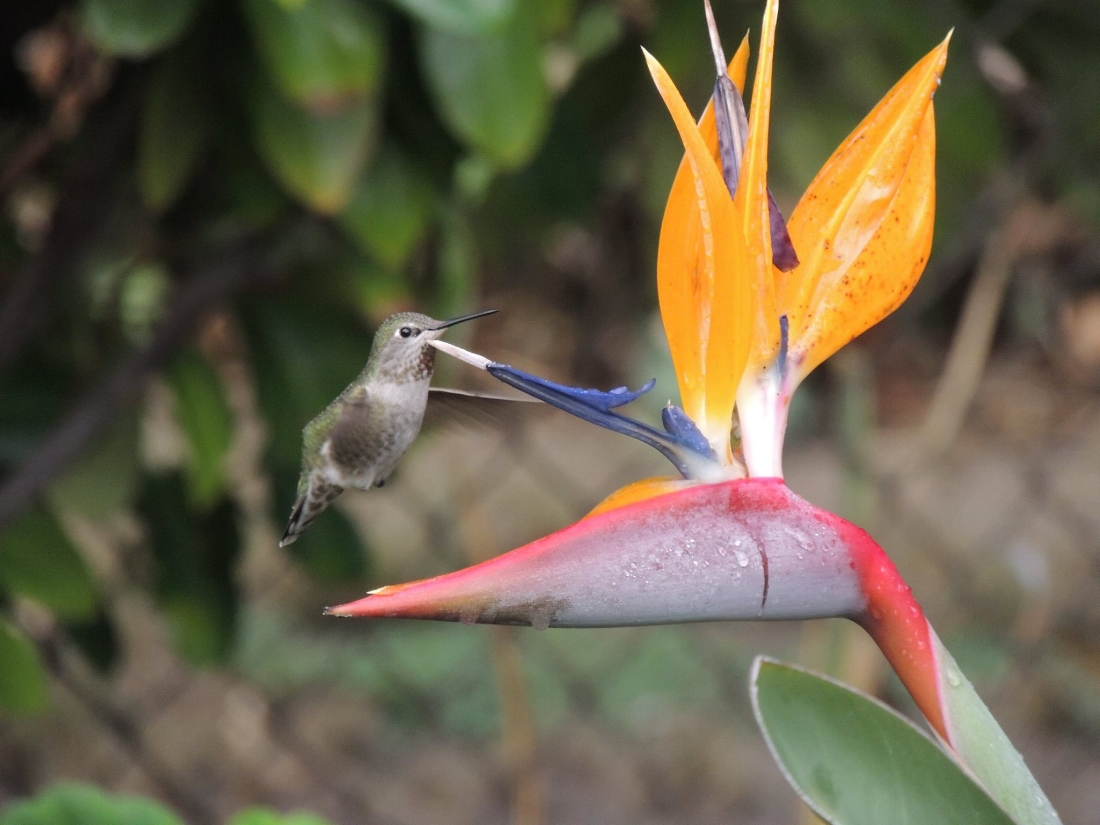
x=196 y=556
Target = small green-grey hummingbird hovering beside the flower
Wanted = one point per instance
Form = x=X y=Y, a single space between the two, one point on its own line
x=358 y=441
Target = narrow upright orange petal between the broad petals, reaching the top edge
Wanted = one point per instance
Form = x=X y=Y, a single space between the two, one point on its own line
x=752 y=201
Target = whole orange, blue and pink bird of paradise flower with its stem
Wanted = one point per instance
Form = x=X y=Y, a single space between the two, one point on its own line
x=752 y=305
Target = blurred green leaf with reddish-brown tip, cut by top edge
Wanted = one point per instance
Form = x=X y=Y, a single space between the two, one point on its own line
x=322 y=54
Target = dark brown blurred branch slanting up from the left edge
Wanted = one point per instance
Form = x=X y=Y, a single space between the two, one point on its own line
x=195 y=299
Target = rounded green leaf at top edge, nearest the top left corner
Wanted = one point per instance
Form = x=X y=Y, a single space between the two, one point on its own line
x=136 y=28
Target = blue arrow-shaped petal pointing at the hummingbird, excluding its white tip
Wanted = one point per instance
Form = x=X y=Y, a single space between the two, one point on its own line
x=684 y=445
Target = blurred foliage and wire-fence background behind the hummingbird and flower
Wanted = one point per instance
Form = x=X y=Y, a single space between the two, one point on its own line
x=207 y=207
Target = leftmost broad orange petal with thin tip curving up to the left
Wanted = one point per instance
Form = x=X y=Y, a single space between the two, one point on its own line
x=705 y=295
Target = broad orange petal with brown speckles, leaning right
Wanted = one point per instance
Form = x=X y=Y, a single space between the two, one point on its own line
x=864 y=228
